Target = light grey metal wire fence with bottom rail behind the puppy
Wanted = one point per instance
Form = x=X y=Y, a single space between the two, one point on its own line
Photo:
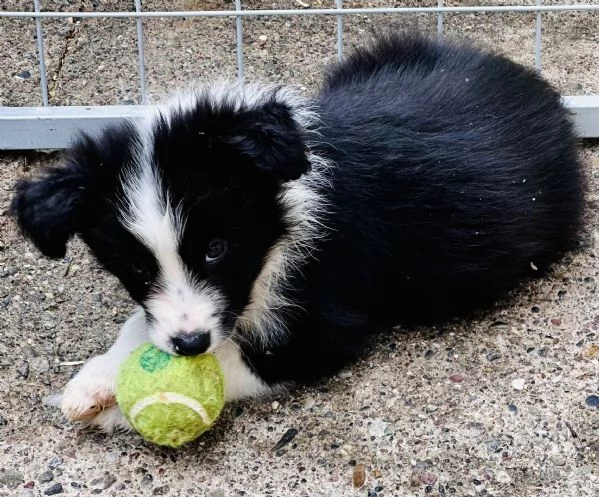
x=53 y=126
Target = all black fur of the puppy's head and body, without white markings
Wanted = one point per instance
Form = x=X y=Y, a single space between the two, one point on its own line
x=454 y=175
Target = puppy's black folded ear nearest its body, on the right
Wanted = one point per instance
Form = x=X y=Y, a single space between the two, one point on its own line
x=272 y=138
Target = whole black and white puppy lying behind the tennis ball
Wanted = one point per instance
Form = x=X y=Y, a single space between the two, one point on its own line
x=424 y=180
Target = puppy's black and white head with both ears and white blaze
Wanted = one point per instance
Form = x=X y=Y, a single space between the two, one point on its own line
x=183 y=207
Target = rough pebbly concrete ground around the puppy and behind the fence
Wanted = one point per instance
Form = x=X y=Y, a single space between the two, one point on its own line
x=503 y=404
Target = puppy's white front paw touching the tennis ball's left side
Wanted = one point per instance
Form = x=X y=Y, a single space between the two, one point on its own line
x=90 y=396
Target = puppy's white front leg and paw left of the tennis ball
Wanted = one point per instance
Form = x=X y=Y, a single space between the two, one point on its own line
x=90 y=395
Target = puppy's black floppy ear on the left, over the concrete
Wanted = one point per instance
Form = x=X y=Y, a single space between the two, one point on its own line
x=48 y=209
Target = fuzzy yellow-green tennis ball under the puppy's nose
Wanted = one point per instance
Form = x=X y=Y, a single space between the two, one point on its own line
x=170 y=400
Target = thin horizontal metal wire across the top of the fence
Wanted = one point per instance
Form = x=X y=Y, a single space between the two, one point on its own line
x=315 y=12
